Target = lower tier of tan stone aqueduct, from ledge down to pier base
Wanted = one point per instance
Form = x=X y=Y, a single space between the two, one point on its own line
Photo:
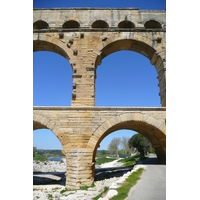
x=81 y=129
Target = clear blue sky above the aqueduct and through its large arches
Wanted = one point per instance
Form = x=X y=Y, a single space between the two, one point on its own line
x=124 y=78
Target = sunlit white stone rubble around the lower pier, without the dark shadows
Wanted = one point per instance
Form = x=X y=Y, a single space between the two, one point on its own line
x=44 y=192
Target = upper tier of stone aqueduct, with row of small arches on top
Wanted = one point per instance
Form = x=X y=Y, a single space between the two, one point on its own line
x=85 y=36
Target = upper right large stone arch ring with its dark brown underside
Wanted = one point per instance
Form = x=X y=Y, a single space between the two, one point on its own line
x=140 y=44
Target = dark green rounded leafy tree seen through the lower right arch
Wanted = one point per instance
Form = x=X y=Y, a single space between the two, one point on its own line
x=140 y=142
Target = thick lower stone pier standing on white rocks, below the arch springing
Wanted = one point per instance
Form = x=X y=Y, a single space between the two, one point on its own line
x=79 y=168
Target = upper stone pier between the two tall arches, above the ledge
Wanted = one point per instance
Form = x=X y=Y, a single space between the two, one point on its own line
x=81 y=46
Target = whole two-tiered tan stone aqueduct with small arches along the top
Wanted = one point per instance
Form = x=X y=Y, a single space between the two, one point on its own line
x=85 y=36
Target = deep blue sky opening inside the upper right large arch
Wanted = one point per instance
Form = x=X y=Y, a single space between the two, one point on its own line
x=138 y=85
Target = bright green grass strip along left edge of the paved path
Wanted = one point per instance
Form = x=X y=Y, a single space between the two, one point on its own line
x=130 y=182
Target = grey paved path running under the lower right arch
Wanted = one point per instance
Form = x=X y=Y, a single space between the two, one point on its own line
x=152 y=185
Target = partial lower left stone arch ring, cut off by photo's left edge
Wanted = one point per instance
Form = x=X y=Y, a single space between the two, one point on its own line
x=40 y=121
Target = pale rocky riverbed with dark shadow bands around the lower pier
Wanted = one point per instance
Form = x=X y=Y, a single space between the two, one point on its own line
x=49 y=181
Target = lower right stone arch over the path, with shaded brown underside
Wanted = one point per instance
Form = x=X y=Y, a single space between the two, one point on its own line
x=150 y=127
